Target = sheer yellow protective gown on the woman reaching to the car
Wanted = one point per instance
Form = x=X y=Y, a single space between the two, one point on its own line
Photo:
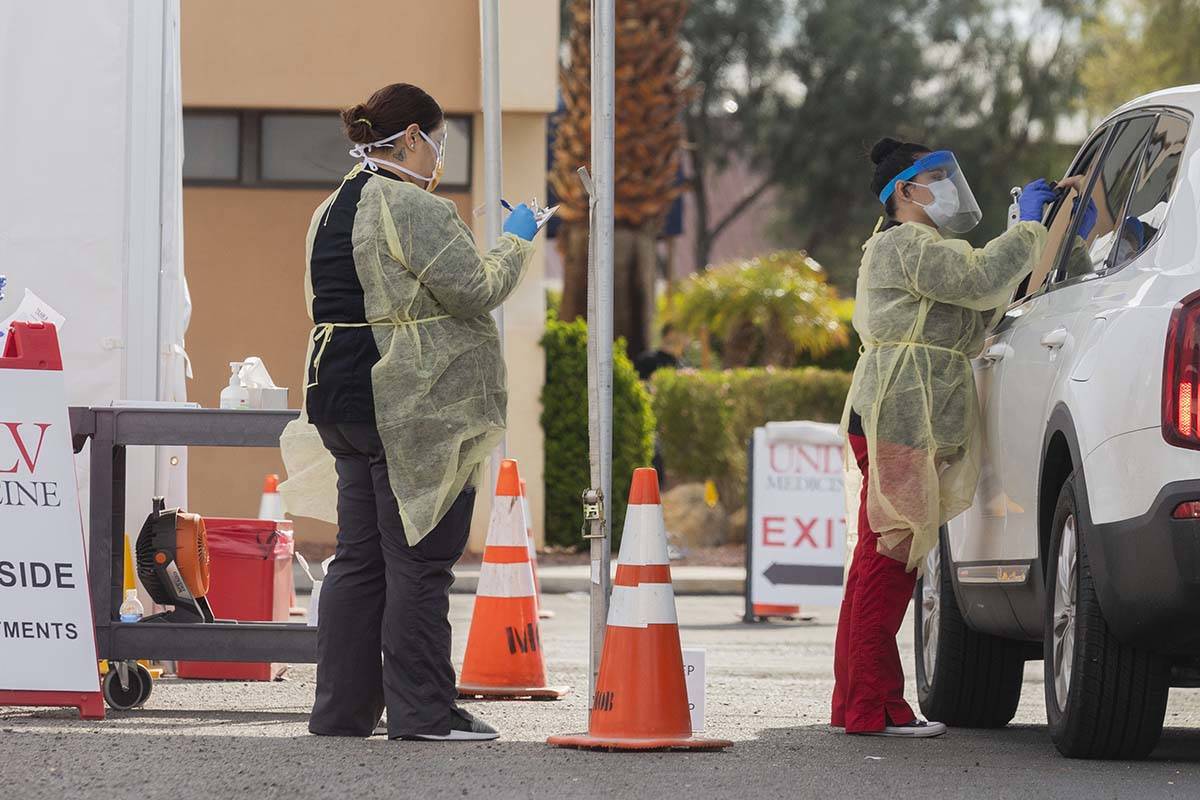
x=923 y=306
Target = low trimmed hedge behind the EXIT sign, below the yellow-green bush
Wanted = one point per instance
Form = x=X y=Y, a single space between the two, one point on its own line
x=706 y=419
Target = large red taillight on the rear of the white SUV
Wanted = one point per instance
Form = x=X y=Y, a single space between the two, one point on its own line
x=1181 y=375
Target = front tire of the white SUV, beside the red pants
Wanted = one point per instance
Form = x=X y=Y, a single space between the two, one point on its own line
x=965 y=679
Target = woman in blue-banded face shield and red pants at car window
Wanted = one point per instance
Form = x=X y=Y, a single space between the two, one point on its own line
x=923 y=304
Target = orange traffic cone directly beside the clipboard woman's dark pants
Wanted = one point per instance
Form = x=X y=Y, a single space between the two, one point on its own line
x=505 y=646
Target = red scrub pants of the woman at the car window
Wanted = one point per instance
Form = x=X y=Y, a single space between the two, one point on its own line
x=868 y=690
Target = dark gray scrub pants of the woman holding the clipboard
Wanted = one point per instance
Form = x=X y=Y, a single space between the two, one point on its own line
x=383 y=594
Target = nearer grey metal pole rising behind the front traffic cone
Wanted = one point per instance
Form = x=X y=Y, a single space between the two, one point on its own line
x=604 y=56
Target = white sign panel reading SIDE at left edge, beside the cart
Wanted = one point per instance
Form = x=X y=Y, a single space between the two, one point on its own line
x=47 y=634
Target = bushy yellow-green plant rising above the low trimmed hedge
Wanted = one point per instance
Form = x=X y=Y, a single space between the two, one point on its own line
x=765 y=311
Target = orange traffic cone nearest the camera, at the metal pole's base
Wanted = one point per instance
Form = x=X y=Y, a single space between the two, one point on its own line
x=641 y=700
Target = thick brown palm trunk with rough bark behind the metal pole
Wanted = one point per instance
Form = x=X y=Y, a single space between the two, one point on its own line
x=651 y=99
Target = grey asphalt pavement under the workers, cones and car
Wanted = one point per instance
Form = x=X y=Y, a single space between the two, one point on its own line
x=769 y=690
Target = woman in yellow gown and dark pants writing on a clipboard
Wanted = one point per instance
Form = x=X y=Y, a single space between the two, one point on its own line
x=405 y=400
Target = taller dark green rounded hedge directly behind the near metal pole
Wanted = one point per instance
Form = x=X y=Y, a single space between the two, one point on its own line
x=565 y=423
